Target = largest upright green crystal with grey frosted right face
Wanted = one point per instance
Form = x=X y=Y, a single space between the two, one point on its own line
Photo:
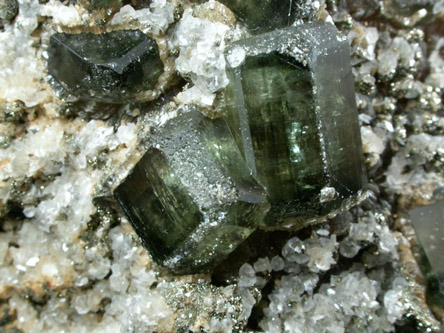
x=291 y=107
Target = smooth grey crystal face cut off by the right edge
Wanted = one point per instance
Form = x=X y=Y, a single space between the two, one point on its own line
x=428 y=222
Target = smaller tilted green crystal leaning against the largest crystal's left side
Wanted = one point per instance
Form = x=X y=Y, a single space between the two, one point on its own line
x=191 y=198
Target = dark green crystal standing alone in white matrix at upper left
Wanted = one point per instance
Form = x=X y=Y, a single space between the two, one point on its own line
x=110 y=67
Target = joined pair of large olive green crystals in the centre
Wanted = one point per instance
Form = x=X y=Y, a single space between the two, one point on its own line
x=287 y=152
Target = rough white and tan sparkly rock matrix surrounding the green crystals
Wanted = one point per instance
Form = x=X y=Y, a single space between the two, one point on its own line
x=69 y=260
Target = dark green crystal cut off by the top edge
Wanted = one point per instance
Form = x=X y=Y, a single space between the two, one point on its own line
x=263 y=15
